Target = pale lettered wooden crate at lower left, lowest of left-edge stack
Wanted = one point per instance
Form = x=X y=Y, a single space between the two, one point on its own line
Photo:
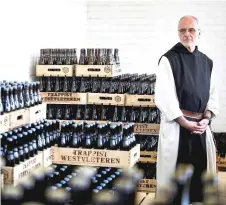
x=13 y=175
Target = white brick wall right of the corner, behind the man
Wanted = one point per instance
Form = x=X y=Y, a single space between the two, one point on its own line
x=144 y=30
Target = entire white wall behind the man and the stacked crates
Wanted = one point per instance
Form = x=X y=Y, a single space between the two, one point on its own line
x=142 y=29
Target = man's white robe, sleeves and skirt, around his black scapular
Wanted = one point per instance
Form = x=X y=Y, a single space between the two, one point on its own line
x=167 y=101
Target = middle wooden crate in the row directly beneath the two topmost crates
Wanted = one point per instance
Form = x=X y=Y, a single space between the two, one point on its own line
x=106 y=99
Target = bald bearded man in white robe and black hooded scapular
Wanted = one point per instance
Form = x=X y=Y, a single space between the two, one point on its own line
x=186 y=96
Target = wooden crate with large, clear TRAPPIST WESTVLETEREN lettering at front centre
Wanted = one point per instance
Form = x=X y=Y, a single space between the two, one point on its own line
x=94 y=157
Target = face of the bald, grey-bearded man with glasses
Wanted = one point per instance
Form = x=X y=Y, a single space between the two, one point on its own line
x=188 y=31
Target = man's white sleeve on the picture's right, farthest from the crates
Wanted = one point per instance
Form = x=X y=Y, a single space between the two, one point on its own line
x=213 y=102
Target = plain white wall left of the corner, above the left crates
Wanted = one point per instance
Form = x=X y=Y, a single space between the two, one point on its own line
x=28 y=25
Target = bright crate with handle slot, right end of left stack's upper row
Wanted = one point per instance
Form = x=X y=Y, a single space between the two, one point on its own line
x=37 y=112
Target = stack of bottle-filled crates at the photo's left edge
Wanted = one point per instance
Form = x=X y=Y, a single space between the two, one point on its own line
x=20 y=107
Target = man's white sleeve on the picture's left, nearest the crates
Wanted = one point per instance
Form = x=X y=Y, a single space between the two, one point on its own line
x=165 y=91
